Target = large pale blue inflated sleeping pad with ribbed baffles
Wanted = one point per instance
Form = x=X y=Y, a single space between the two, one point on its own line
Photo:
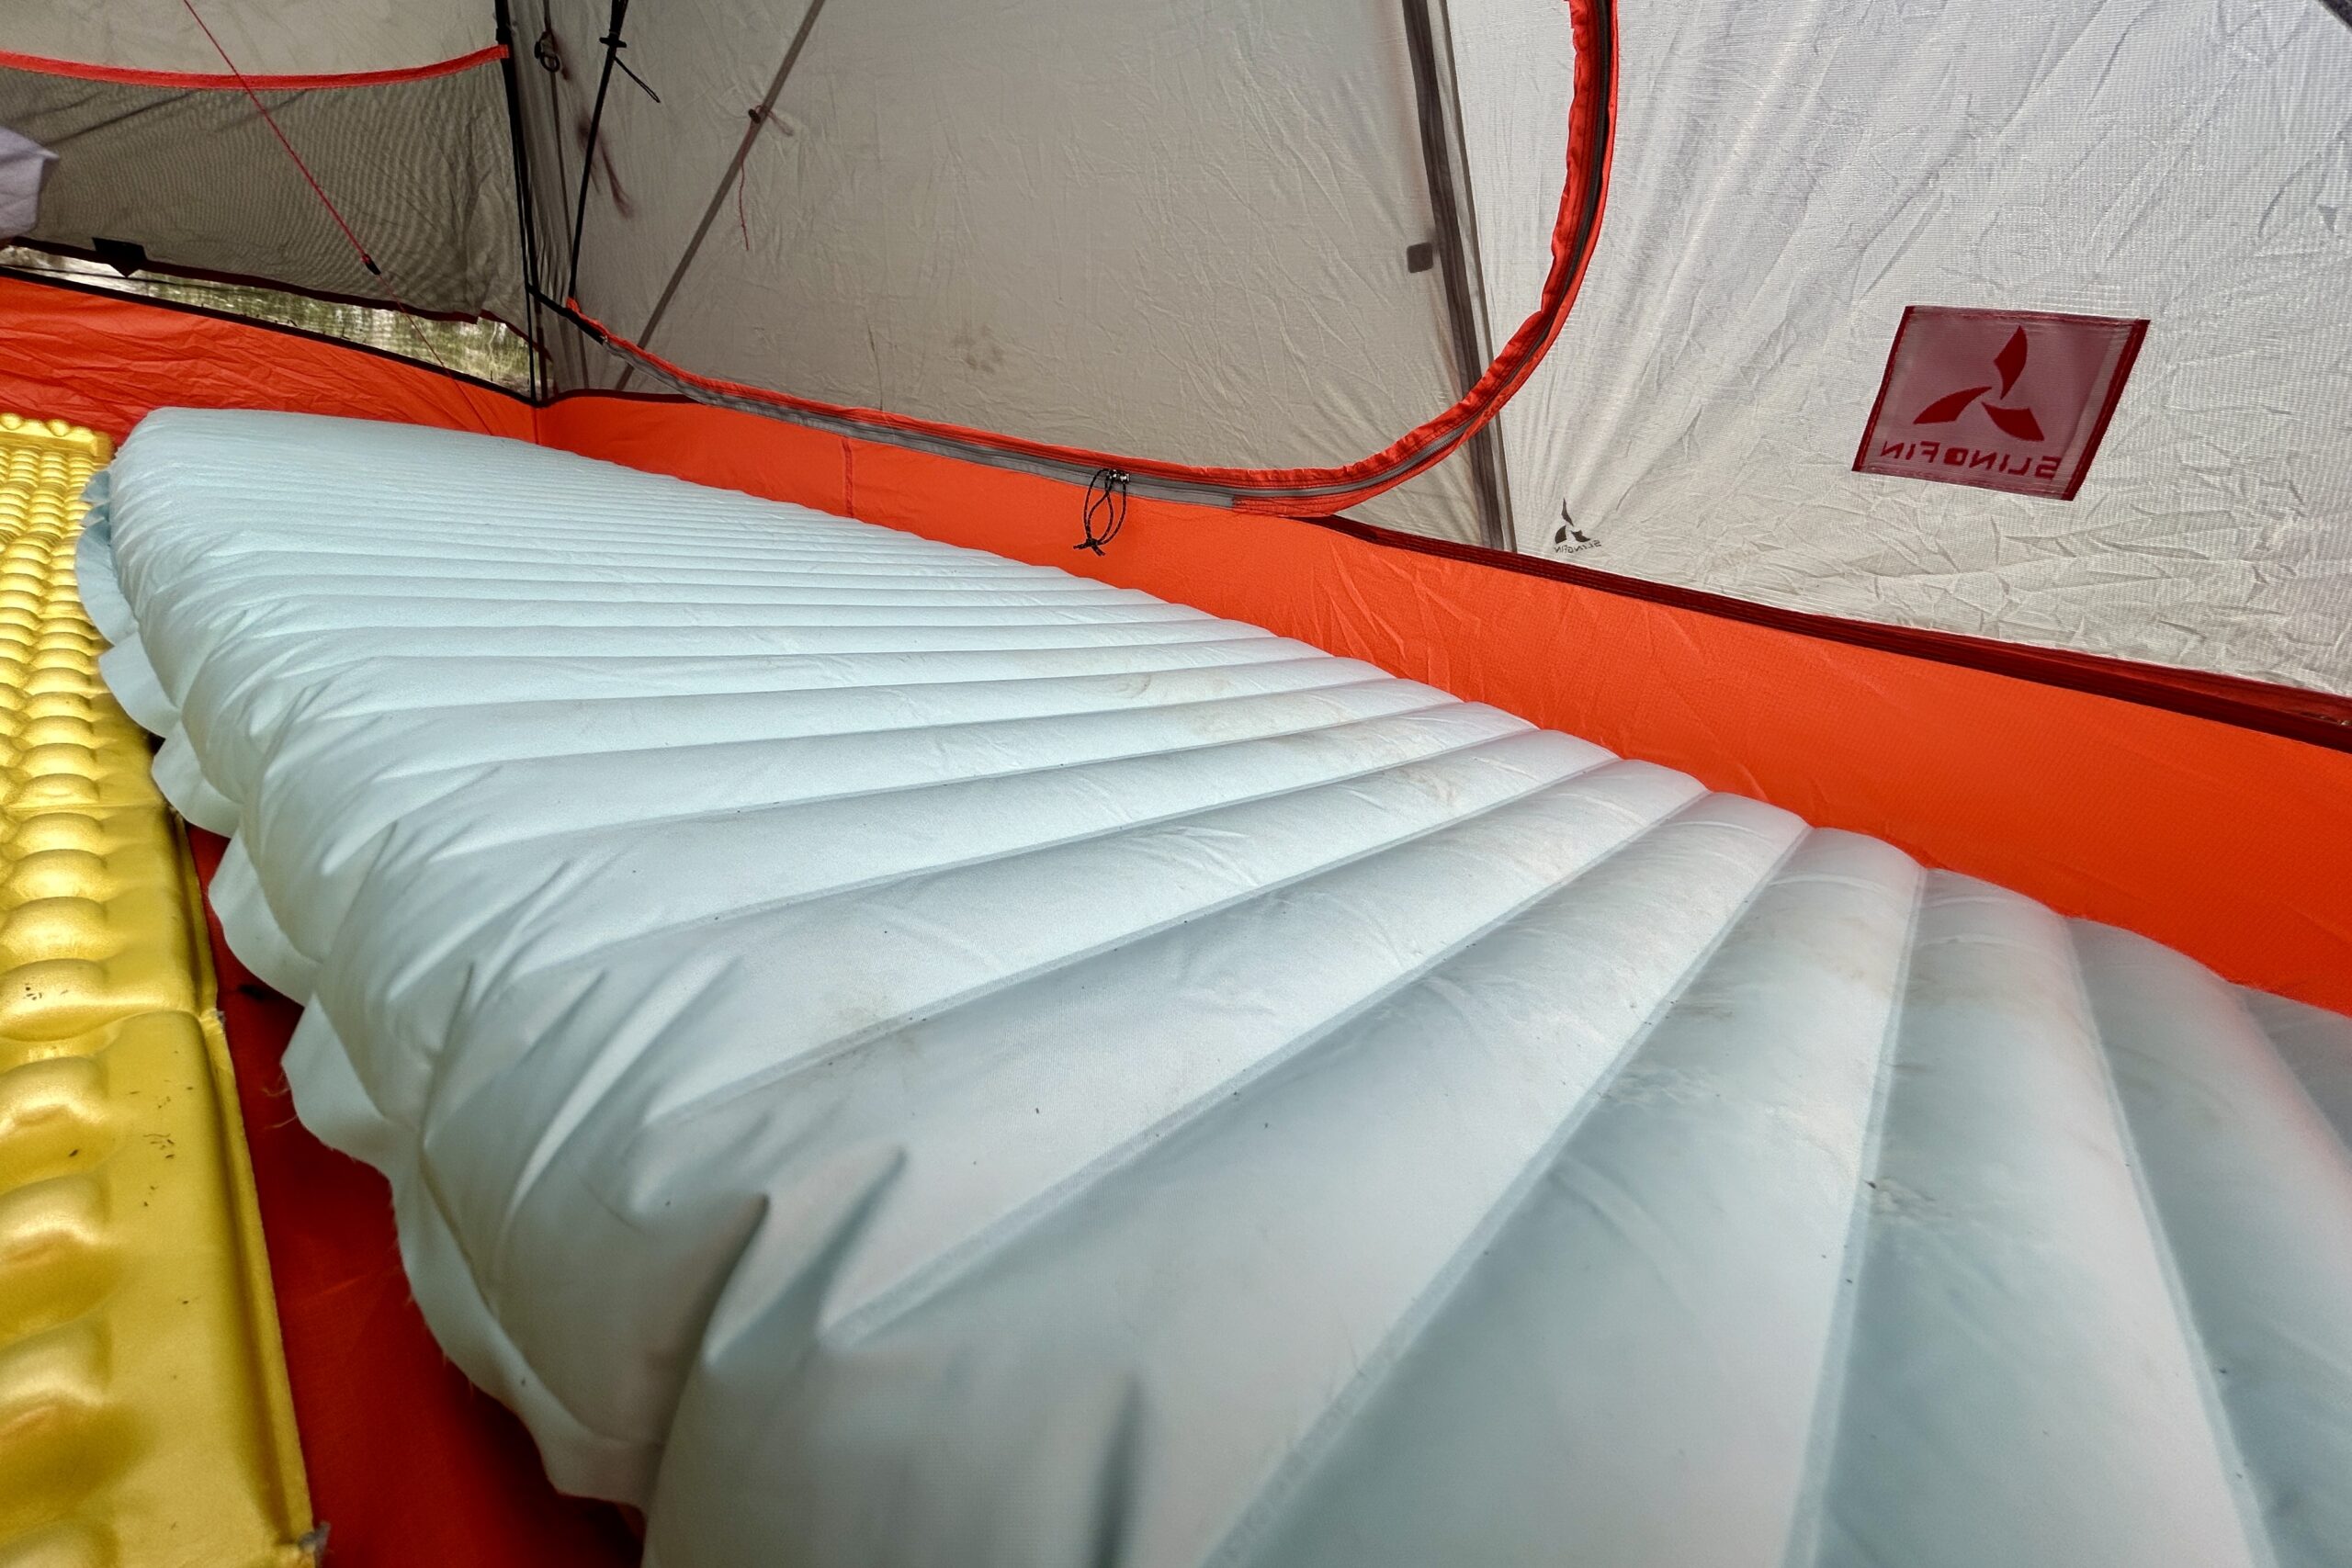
x=897 y=1057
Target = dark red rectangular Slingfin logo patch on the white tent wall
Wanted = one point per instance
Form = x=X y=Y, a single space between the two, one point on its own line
x=1998 y=398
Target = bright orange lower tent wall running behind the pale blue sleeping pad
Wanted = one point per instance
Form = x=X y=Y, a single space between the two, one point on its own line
x=2226 y=843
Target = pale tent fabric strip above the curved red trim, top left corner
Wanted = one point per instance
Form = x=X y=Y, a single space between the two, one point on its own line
x=262 y=36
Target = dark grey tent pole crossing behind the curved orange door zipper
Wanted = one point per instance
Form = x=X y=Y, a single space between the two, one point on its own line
x=1429 y=39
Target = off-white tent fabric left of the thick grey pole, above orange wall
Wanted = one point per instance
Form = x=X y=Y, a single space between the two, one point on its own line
x=1161 y=232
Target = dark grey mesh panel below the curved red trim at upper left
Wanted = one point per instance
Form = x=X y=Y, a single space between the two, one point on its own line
x=420 y=170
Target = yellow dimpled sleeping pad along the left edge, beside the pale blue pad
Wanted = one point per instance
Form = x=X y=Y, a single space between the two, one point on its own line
x=145 y=1409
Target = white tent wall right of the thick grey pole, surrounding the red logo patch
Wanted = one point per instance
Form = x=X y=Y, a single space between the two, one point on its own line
x=1791 y=177
